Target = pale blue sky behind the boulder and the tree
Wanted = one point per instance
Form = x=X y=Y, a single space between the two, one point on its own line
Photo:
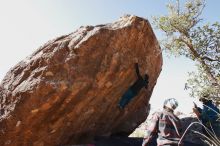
x=28 y=24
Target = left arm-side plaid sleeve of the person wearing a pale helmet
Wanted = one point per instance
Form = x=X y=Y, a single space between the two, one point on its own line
x=151 y=131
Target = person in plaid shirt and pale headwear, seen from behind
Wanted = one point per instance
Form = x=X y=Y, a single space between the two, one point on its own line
x=165 y=127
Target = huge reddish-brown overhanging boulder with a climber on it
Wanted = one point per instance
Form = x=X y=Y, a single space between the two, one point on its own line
x=69 y=89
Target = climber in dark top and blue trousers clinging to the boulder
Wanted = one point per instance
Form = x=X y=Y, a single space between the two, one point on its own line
x=134 y=89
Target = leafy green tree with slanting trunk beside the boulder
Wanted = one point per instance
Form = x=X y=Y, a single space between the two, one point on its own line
x=185 y=34
